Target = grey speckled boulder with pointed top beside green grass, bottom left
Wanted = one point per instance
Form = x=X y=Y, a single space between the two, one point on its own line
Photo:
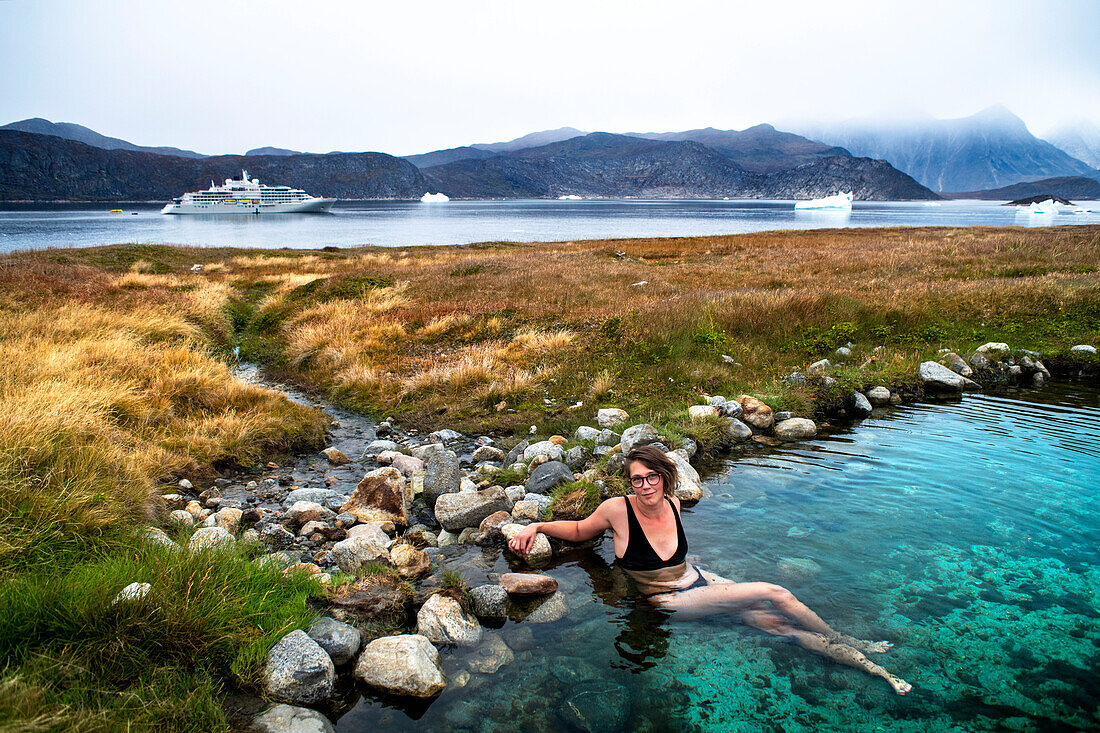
x=299 y=671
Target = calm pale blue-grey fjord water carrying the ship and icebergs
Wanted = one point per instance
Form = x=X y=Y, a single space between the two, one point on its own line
x=399 y=224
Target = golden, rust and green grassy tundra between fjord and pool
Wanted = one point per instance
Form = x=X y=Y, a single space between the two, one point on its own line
x=117 y=382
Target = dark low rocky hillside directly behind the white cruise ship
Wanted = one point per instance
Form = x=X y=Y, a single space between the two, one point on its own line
x=46 y=168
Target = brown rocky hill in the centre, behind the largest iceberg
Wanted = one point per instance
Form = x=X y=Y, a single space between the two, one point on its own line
x=609 y=166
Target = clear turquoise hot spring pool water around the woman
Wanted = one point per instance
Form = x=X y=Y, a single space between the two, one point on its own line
x=965 y=533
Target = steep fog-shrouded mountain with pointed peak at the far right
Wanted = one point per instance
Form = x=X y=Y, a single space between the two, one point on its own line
x=985 y=151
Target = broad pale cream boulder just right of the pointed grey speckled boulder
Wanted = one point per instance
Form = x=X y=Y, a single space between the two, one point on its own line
x=405 y=665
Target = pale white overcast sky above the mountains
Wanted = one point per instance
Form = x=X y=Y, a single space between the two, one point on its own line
x=223 y=78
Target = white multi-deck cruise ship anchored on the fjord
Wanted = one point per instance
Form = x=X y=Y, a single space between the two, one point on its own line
x=248 y=196
